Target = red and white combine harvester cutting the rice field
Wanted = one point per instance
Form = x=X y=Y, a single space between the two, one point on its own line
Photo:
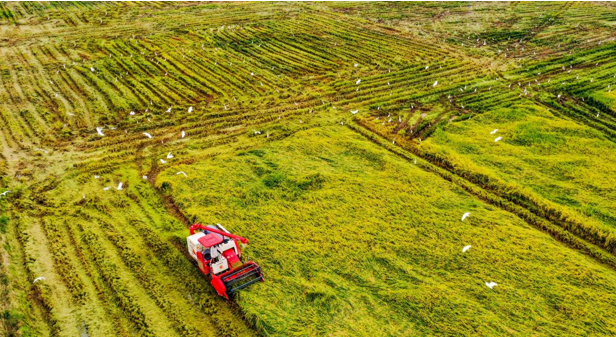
x=218 y=254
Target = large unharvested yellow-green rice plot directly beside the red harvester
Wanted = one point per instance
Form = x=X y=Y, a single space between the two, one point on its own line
x=349 y=232
